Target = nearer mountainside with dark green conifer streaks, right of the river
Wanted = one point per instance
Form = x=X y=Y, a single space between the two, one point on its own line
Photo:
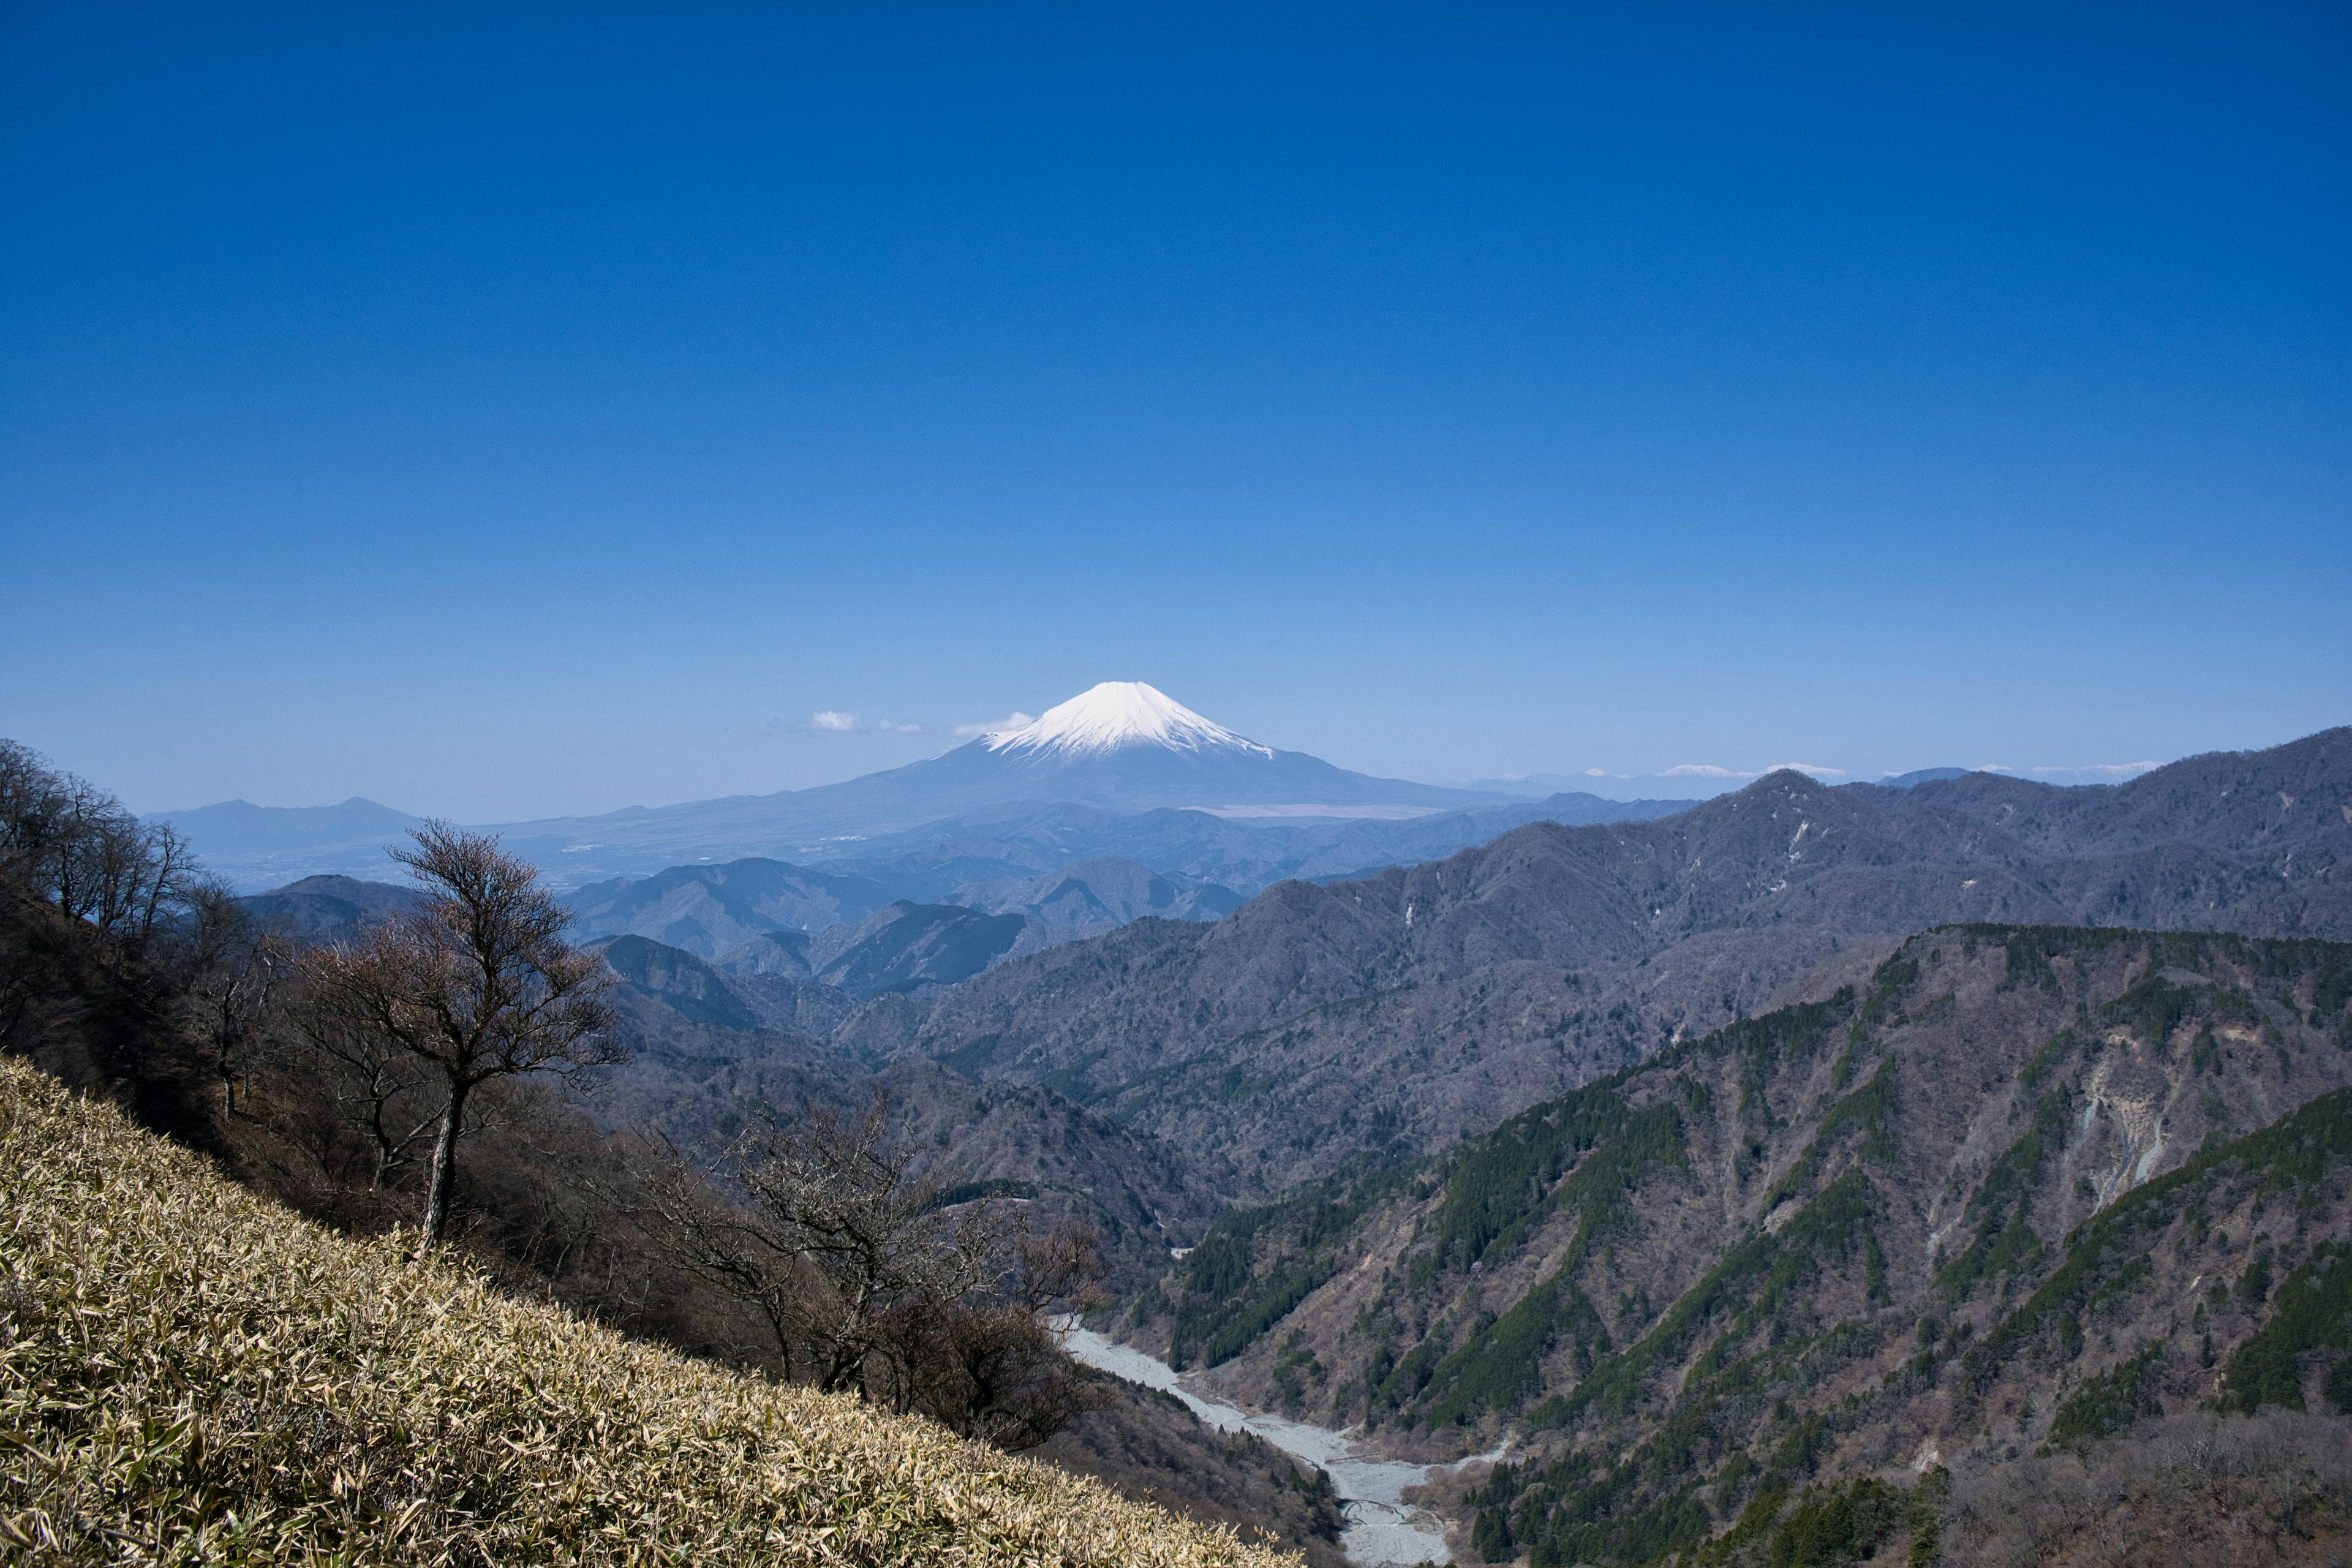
x=2022 y=1186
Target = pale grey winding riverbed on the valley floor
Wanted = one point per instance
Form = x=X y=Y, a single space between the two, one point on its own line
x=1382 y=1527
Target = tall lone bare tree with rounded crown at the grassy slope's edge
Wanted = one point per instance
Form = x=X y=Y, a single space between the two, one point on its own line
x=476 y=986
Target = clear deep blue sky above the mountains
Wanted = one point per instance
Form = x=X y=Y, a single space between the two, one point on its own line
x=556 y=413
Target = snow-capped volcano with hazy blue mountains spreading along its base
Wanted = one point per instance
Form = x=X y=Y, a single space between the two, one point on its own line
x=1116 y=775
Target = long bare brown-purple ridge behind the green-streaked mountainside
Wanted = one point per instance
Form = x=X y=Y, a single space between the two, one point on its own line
x=1429 y=1003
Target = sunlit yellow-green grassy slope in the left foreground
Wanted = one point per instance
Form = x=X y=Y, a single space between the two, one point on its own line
x=192 y=1374
